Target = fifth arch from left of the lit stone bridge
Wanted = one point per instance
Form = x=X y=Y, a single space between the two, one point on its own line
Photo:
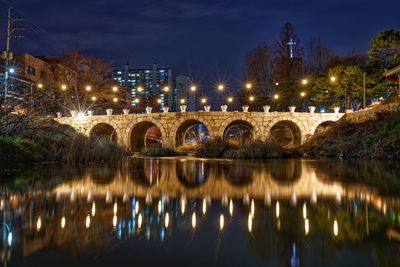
x=287 y=131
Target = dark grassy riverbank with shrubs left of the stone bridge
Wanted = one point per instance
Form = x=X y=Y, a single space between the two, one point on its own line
x=56 y=144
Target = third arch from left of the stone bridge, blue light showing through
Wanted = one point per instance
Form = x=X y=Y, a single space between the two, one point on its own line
x=184 y=127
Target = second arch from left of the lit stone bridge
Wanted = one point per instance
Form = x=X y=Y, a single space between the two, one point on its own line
x=146 y=134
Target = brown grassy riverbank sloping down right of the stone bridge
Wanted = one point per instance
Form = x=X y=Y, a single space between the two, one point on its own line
x=374 y=138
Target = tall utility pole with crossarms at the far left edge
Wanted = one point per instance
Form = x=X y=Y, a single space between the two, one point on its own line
x=7 y=54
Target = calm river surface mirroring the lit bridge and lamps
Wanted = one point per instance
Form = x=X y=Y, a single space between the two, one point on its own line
x=267 y=213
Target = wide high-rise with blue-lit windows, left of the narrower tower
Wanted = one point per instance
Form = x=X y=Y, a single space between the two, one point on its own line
x=152 y=86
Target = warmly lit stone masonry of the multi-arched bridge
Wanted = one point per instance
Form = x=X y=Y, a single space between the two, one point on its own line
x=129 y=128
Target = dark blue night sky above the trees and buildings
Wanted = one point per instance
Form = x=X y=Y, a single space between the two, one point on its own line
x=206 y=38
